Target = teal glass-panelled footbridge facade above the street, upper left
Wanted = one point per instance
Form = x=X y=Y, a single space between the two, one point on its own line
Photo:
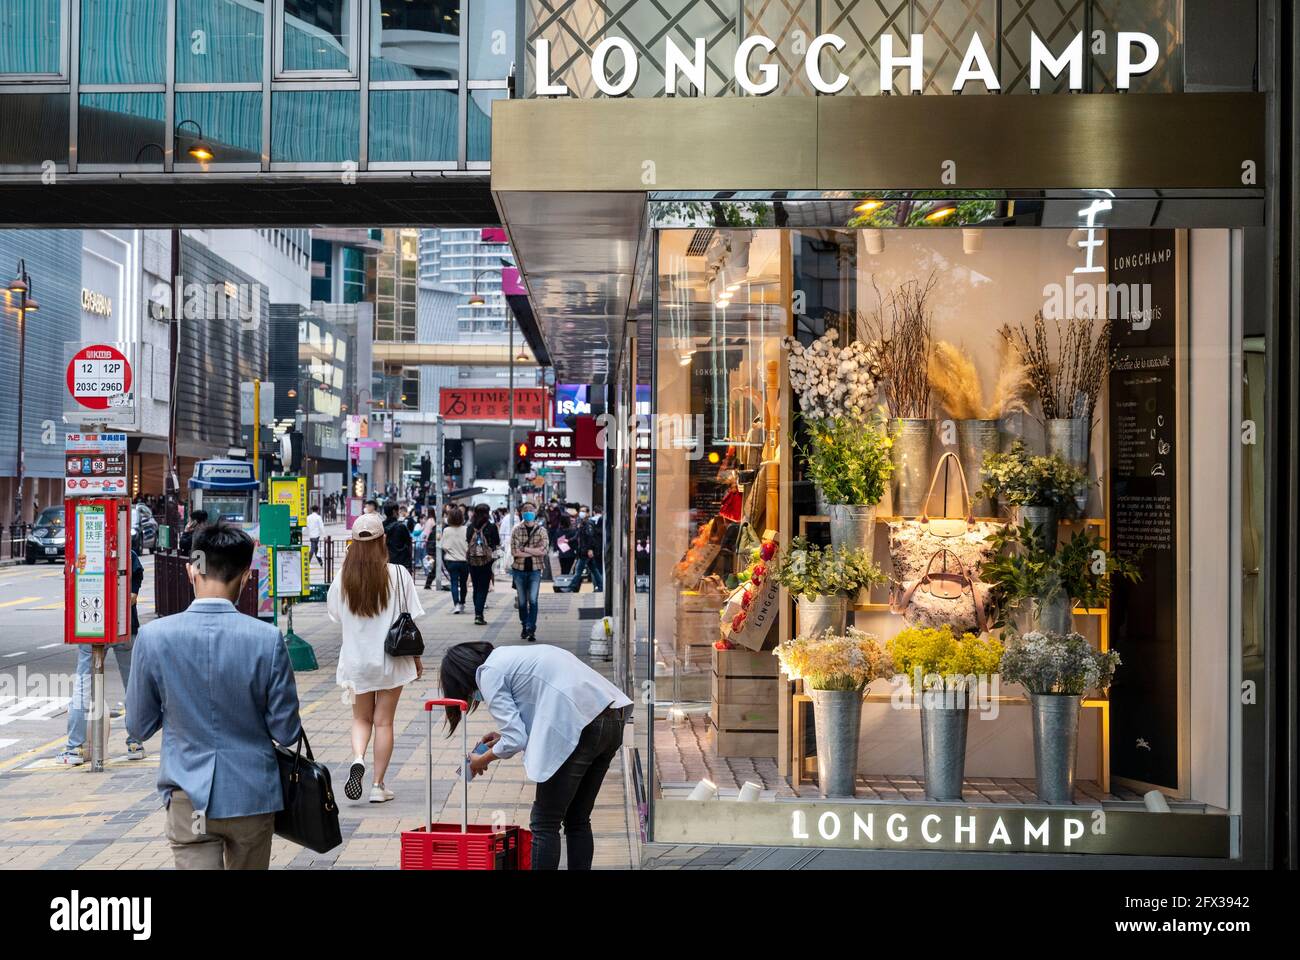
x=258 y=85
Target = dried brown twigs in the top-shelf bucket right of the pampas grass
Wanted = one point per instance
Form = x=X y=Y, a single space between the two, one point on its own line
x=1068 y=380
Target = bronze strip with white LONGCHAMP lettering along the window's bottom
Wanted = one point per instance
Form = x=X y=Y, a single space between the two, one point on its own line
x=891 y=827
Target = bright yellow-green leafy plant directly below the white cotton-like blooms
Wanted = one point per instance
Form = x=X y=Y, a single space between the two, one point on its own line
x=848 y=460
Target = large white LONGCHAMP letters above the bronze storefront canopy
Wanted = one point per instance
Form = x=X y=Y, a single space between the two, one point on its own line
x=1137 y=54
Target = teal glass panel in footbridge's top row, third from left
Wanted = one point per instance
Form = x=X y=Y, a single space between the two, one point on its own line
x=219 y=42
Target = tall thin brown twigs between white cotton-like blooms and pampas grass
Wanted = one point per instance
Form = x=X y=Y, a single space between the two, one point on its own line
x=903 y=327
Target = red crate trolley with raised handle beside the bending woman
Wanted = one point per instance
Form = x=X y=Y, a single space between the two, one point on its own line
x=465 y=846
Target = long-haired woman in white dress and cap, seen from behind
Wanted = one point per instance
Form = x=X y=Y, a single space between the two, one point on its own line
x=367 y=598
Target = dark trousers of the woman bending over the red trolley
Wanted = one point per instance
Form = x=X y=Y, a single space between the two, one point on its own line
x=569 y=797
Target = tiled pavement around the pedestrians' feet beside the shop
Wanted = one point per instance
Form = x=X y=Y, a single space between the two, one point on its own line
x=70 y=818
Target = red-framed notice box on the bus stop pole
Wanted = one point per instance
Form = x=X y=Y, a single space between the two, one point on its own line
x=97 y=572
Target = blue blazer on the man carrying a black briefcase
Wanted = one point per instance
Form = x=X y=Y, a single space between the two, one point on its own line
x=220 y=687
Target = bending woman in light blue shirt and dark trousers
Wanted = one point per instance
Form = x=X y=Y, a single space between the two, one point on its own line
x=566 y=717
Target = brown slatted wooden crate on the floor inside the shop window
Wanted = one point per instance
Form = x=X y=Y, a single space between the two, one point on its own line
x=744 y=703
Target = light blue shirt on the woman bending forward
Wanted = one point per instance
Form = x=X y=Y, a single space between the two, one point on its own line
x=543 y=698
